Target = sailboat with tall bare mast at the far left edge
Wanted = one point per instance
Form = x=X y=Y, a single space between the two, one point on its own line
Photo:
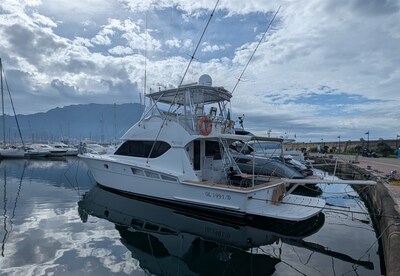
x=9 y=151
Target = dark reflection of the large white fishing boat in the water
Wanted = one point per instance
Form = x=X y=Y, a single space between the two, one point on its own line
x=170 y=241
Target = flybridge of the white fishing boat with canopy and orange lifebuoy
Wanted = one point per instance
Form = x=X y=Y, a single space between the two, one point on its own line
x=199 y=107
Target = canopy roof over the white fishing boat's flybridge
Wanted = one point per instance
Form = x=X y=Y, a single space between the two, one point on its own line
x=197 y=93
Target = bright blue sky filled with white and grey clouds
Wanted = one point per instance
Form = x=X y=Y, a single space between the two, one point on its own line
x=325 y=68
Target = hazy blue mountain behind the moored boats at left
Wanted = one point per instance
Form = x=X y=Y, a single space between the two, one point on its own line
x=97 y=122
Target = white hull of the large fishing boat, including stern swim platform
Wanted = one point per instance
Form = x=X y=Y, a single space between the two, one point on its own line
x=144 y=182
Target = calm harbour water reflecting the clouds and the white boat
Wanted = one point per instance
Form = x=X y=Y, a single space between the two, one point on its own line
x=48 y=227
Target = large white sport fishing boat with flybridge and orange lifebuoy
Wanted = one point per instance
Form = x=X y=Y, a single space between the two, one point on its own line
x=178 y=152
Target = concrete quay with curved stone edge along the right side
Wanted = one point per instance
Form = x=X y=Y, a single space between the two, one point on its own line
x=383 y=199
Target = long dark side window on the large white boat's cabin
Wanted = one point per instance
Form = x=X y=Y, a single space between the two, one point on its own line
x=143 y=148
